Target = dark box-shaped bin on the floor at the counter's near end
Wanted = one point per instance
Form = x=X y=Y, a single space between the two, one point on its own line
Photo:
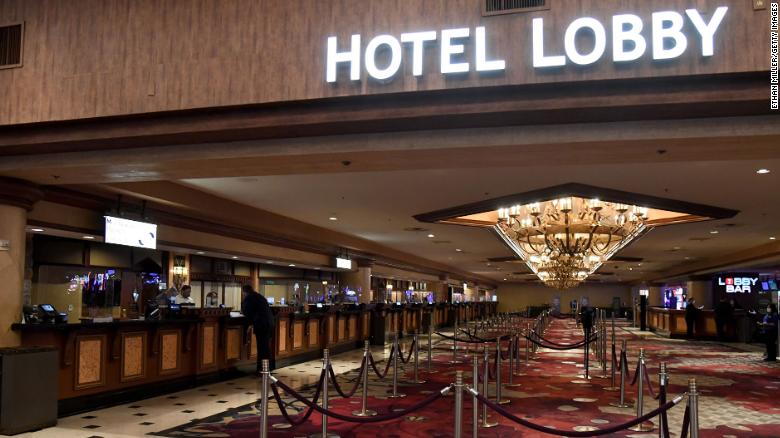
x=28 y=389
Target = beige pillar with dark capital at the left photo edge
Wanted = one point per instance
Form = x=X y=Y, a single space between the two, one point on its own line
x=17 y=197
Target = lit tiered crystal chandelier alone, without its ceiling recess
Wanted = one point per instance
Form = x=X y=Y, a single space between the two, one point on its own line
x=565 y=240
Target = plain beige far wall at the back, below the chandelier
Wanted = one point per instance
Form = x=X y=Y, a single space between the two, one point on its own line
x=513 y=296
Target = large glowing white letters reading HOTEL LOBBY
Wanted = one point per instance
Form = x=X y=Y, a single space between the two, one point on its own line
x=668 y=41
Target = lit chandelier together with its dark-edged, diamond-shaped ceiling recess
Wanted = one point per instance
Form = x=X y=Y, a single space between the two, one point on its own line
x=566 y=233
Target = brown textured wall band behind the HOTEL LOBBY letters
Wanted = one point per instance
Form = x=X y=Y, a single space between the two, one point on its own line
x=95 y=58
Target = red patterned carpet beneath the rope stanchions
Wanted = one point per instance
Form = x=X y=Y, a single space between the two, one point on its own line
x=739 y=395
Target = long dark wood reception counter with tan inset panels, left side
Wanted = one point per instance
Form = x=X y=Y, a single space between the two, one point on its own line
x=115 y=362
